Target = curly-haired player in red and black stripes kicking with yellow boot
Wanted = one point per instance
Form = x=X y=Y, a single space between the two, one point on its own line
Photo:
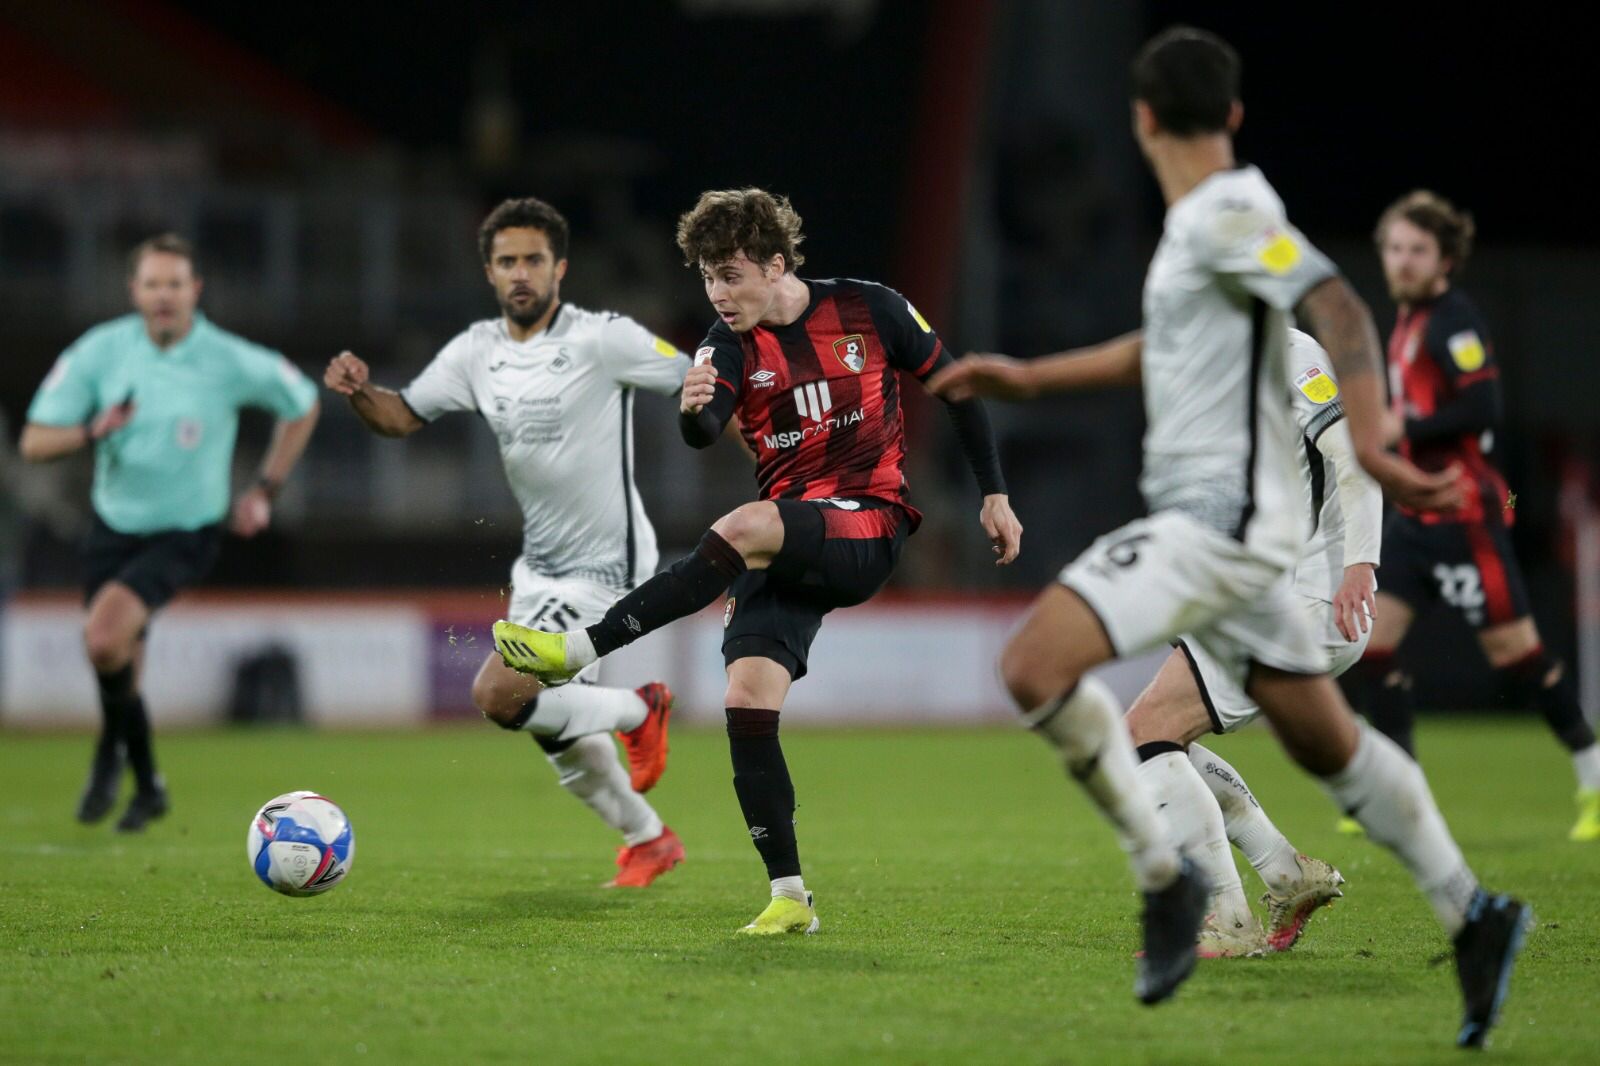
x=812 y=369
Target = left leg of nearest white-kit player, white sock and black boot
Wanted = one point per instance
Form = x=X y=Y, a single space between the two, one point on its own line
x=1044 y=667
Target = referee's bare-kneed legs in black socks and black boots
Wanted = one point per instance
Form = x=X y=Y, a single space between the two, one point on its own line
x=113 y=638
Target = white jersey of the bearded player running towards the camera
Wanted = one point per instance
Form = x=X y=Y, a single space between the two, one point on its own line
x=561 y=406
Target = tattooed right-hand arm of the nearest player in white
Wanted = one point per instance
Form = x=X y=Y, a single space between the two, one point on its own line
x=1340 y=321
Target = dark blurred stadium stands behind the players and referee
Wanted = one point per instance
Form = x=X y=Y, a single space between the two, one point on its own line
x=334 y=162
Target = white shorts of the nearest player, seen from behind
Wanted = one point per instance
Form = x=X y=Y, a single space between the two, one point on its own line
x=1169 y=575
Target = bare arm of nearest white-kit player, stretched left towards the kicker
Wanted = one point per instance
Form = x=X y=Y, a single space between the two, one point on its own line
x=1100 y=367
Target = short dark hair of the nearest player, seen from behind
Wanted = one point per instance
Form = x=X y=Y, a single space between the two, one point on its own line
x=1190 y=79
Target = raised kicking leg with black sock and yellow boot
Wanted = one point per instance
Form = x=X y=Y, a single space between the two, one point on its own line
x=746 y=539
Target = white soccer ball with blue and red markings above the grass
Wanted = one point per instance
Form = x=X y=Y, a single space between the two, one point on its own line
x=302 y=844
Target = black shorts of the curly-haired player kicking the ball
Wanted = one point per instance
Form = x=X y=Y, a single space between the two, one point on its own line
x=838 y=553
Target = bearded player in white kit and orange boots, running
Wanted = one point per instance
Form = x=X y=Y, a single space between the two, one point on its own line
x=556 y=383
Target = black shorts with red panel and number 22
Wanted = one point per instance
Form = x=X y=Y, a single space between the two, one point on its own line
x=1468 y=566
